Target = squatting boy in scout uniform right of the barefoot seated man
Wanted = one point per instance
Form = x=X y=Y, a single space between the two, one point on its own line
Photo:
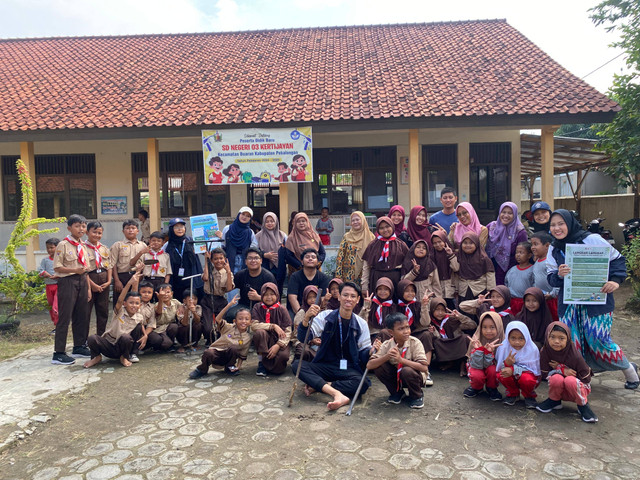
x=401 y=363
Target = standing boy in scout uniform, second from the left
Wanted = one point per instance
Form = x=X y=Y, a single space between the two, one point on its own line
x=99 y=275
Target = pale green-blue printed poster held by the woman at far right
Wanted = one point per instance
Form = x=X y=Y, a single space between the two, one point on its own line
x=589 y=272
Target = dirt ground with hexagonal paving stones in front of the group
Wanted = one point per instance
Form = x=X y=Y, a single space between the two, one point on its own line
x=150 y=421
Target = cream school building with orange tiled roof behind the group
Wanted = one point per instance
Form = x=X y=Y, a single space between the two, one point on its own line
x=109 y=125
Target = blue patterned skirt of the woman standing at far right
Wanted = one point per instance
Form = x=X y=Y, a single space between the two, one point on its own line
x=592 y=338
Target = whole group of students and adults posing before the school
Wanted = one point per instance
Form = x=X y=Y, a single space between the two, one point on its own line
x=486 y=298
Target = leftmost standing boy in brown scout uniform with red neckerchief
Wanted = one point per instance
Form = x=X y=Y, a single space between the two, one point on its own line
x=71 y=263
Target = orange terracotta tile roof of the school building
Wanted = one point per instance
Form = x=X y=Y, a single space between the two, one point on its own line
x=453 y=69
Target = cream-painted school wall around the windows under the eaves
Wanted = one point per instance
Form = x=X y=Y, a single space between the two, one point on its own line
x=114 y=172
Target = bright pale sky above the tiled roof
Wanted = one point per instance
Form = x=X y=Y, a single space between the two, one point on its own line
x=562 y=28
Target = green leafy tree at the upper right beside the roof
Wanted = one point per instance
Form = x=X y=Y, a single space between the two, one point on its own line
x=621 y=138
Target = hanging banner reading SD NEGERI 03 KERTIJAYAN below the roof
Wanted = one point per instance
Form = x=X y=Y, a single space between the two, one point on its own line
x=257 y=156
